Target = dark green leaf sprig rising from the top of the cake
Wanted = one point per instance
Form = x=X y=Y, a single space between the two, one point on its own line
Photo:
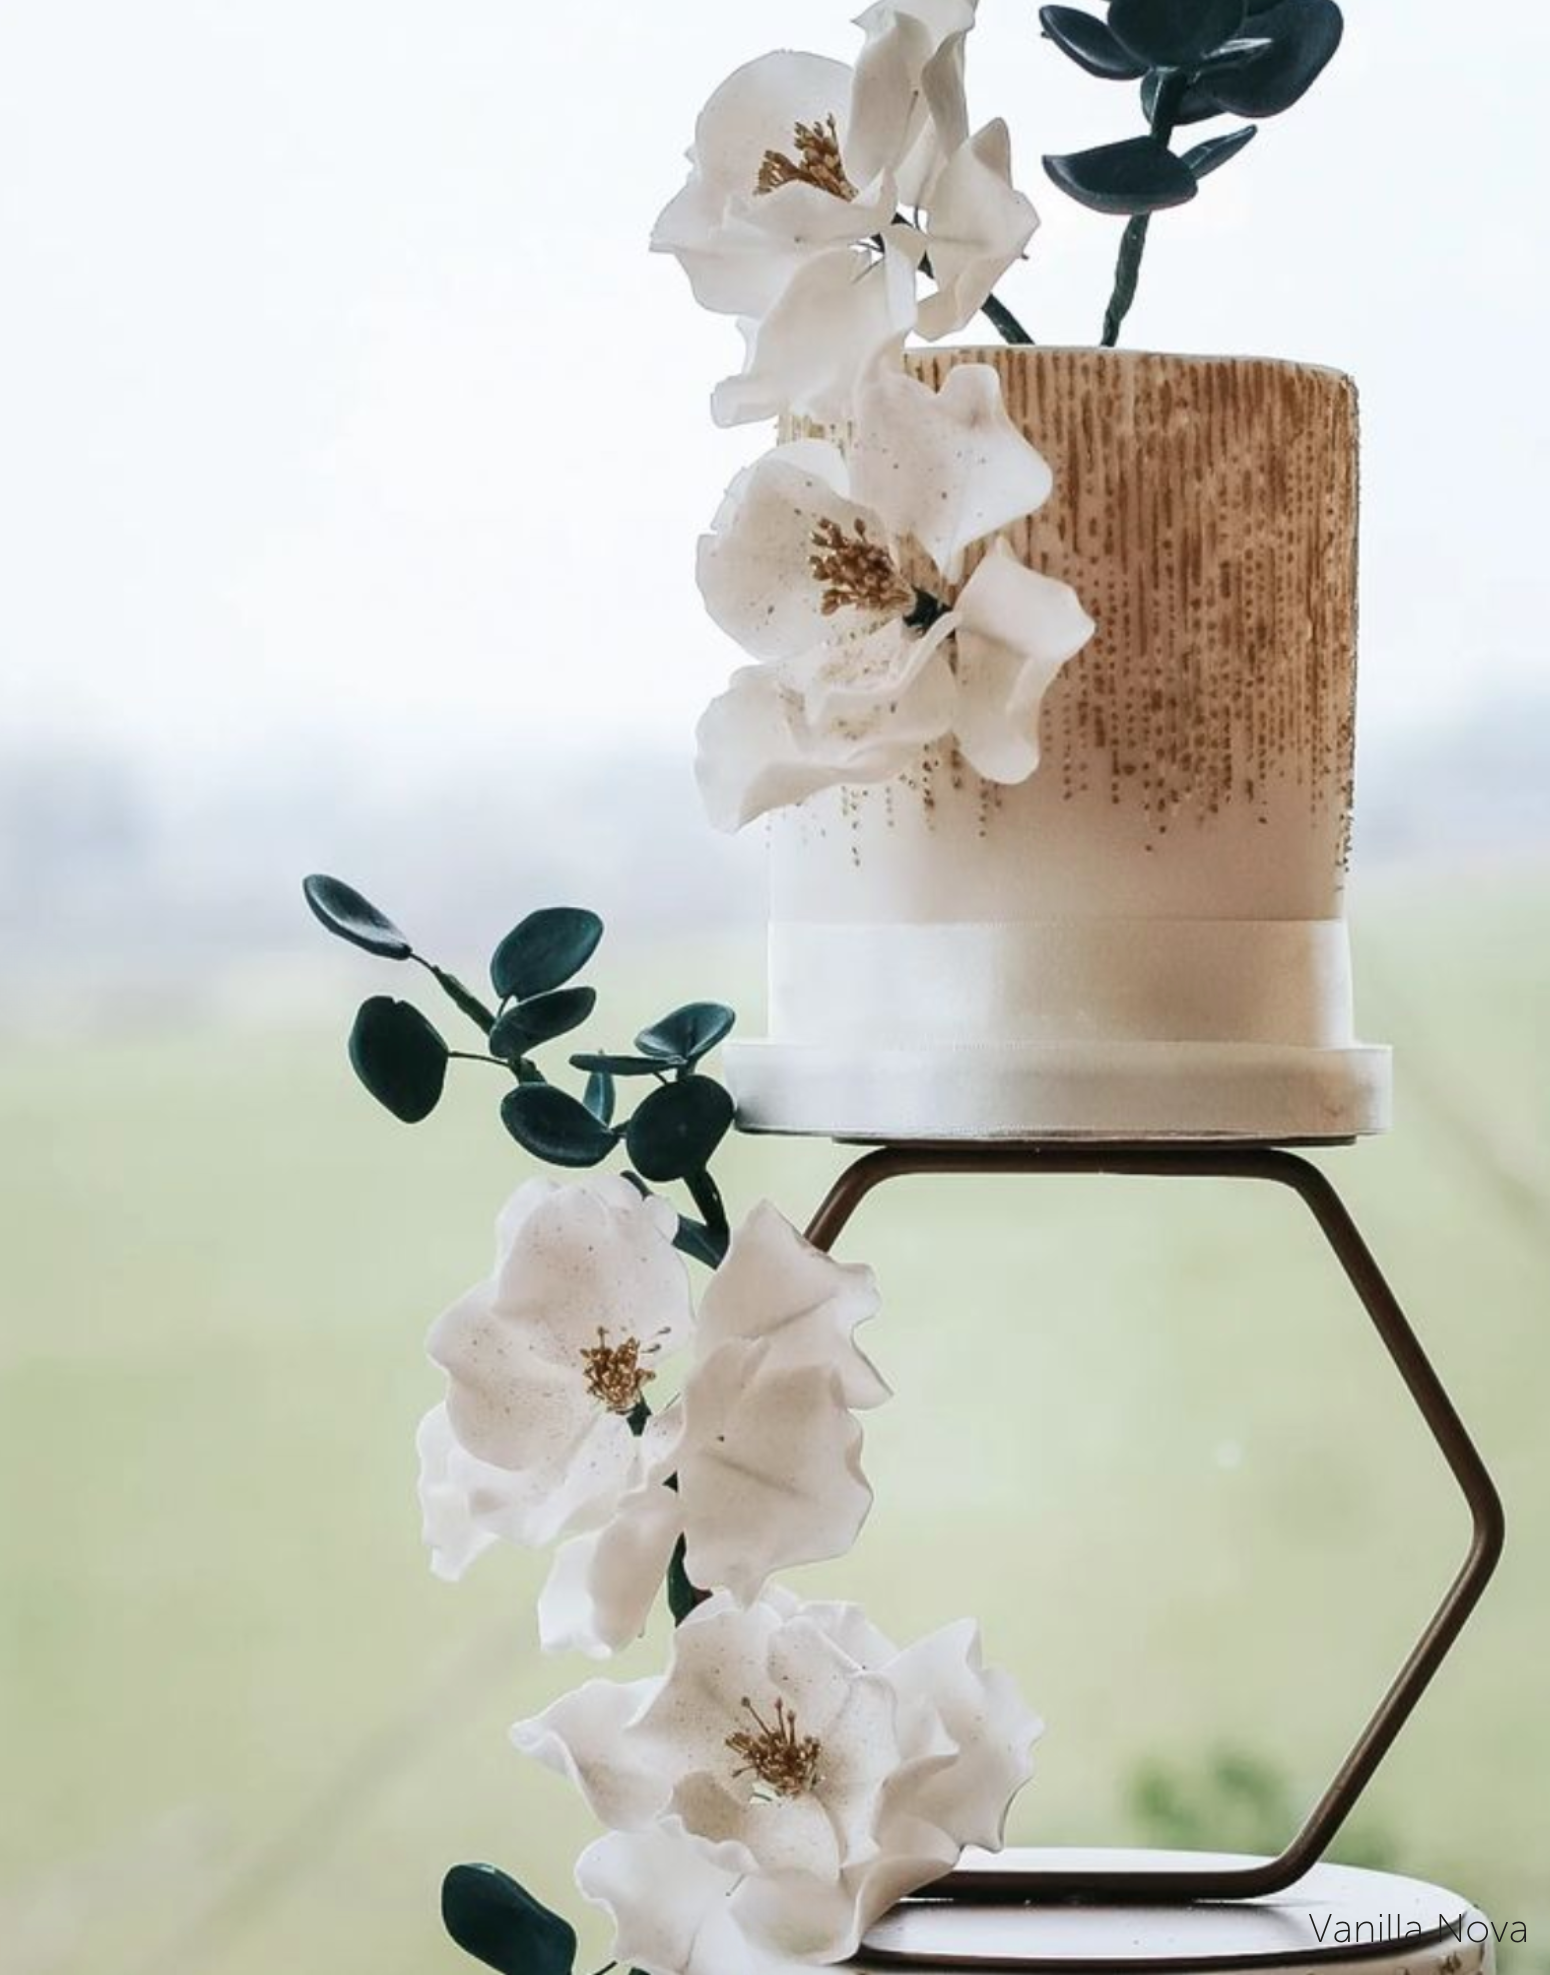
x=1194 y=60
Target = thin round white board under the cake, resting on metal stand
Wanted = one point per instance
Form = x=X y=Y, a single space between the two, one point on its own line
x=1063 y=1091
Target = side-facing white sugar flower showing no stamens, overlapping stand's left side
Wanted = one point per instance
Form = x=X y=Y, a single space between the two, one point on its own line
x=763 y=1443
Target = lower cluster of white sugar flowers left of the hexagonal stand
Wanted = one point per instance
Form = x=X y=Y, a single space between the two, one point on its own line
x=791 y=1775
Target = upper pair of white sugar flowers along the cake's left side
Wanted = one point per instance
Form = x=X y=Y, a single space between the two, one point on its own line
x=818 y=200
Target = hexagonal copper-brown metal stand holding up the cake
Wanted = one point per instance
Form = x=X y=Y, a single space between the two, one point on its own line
x=1423 y=1383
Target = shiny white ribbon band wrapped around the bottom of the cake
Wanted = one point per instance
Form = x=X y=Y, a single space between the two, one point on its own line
x=1190 y=981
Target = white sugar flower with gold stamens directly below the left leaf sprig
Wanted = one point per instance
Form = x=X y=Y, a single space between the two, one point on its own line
x=546 y=1366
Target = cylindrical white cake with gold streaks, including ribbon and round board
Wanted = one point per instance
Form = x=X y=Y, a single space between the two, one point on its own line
x=1146 y=937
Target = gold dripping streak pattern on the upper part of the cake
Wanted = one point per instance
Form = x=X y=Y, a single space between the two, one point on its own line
x=1205 y=513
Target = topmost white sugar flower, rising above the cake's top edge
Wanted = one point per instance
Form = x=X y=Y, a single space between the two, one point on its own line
x=793 y=214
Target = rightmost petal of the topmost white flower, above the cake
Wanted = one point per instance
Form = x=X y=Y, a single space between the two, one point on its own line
x=978 y=228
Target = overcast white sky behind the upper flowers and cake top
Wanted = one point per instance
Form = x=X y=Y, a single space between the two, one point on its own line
x=339 y=384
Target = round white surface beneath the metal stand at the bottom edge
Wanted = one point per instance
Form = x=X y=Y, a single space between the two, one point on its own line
x=1338 y=1919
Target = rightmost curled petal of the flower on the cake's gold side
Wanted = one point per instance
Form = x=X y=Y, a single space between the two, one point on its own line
x=1016 y=631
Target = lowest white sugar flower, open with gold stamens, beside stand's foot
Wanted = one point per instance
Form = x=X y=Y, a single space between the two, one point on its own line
x=785 y=1782
